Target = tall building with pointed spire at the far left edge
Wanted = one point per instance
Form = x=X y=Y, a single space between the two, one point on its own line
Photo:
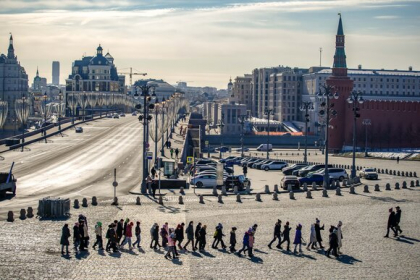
x=13 y=85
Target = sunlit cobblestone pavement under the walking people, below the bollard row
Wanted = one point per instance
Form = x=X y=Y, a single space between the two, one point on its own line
x=30 y=248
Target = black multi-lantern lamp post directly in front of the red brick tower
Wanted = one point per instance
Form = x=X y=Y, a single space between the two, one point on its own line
x=325 y=95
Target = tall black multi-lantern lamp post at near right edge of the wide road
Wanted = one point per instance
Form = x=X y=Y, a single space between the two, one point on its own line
x=145 y=119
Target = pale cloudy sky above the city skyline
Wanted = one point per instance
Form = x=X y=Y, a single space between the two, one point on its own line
x=206 y=42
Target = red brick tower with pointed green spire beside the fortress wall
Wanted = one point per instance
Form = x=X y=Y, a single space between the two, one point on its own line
x=343 y=85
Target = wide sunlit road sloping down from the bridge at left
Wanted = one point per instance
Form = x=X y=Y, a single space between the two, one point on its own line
x=77 y=164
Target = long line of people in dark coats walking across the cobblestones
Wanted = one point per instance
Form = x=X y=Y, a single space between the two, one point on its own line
x=120 y=233
